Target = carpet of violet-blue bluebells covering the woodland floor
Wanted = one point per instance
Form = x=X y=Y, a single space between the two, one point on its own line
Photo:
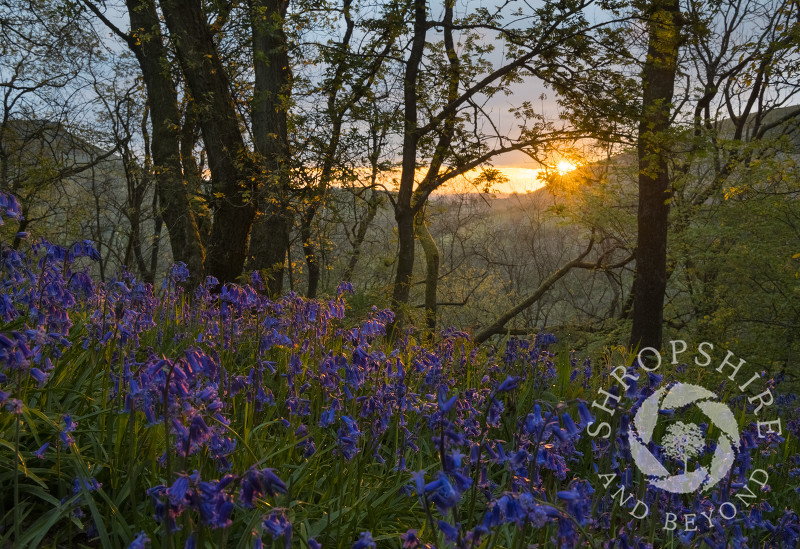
x=493 y=461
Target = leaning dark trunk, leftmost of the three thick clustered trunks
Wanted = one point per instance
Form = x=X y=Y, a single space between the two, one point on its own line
x=176 y=211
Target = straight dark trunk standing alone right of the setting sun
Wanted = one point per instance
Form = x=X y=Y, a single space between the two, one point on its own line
x=658 y=75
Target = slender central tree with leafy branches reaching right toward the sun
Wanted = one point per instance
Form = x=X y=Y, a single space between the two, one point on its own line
x=448 y=136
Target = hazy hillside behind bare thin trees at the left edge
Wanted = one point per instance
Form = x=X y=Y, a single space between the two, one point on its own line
x=70 y=188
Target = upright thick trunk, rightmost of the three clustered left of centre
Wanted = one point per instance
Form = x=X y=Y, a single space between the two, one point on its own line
x=270 y=239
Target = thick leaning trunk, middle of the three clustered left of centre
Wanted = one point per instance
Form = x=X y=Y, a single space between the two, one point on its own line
x=234 y=178
